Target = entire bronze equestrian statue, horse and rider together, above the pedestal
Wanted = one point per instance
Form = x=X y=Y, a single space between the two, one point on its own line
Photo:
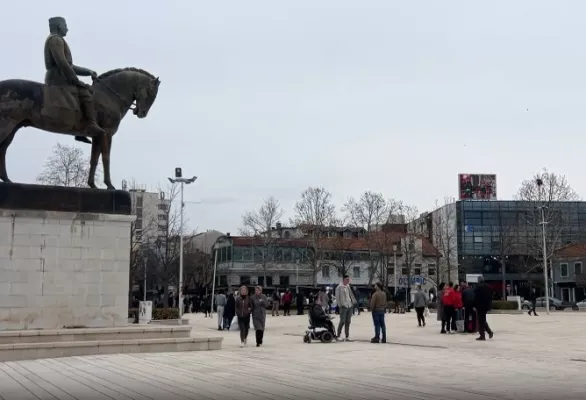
x=66 y=105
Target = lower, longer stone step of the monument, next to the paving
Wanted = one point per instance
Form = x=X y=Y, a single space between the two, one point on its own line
x=31 y=351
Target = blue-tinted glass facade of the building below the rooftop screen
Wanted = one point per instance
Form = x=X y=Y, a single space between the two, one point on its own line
x=489 y=230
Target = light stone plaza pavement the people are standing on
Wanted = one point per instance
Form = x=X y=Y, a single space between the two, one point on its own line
x=529 y=357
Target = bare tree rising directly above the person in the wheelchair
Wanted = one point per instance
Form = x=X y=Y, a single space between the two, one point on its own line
x=312 y=214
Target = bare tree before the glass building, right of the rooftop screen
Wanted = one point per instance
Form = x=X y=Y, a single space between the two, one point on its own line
x=544 y=192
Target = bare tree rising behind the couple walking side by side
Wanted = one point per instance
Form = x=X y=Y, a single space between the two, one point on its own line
x=259 y=224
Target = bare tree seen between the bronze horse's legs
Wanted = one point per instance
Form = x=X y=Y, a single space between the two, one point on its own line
x=67 y=166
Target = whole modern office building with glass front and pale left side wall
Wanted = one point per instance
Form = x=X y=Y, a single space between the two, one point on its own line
x=478 y=235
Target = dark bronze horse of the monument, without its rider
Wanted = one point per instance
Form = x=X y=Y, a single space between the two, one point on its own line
x=56 y=109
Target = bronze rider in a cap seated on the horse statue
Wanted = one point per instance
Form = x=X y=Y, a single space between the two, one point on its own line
x=61 y=71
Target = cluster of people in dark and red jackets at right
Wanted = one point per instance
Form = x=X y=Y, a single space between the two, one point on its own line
x=461 y=304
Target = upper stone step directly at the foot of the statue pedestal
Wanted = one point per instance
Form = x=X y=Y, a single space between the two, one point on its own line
x=90 y=334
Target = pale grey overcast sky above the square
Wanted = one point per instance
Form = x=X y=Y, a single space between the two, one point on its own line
x=262 y=98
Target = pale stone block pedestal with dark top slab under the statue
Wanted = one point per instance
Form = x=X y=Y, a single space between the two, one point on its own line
x=64 y=257
